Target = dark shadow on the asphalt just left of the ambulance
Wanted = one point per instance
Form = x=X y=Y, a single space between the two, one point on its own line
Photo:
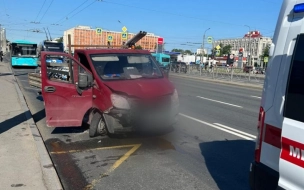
x=228 y=162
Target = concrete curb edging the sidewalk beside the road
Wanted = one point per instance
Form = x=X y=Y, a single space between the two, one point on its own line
x=50 y=177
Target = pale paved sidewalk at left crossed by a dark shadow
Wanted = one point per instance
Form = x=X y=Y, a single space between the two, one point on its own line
x=24 y=161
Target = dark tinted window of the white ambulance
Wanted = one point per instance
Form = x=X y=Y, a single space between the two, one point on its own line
x=294 y=104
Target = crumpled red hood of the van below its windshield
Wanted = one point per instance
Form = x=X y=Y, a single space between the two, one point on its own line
x=142 y=88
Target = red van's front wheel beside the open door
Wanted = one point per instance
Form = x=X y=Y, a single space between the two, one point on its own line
x=98 y=126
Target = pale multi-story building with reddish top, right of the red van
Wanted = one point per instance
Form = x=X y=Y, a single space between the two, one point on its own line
x=253 y=43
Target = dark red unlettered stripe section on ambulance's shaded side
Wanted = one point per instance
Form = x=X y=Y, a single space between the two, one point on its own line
x=273 y=136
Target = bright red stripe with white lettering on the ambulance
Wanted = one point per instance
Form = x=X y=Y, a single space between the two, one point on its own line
x=293 y=152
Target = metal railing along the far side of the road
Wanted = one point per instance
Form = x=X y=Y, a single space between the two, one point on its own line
x=220 y=73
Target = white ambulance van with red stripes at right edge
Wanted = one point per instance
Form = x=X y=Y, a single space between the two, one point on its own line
x=279 y=153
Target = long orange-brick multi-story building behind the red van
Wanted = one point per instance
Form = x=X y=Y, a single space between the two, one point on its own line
x=85 y=35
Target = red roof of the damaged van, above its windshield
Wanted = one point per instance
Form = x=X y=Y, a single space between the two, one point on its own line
x=109 y=51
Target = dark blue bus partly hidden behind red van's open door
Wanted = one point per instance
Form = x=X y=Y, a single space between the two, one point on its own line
x=53 y=46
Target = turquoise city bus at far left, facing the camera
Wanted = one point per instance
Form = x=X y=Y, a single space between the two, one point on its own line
x=24 y=53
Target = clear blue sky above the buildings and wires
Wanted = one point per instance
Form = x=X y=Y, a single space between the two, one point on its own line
x=179 y=22
